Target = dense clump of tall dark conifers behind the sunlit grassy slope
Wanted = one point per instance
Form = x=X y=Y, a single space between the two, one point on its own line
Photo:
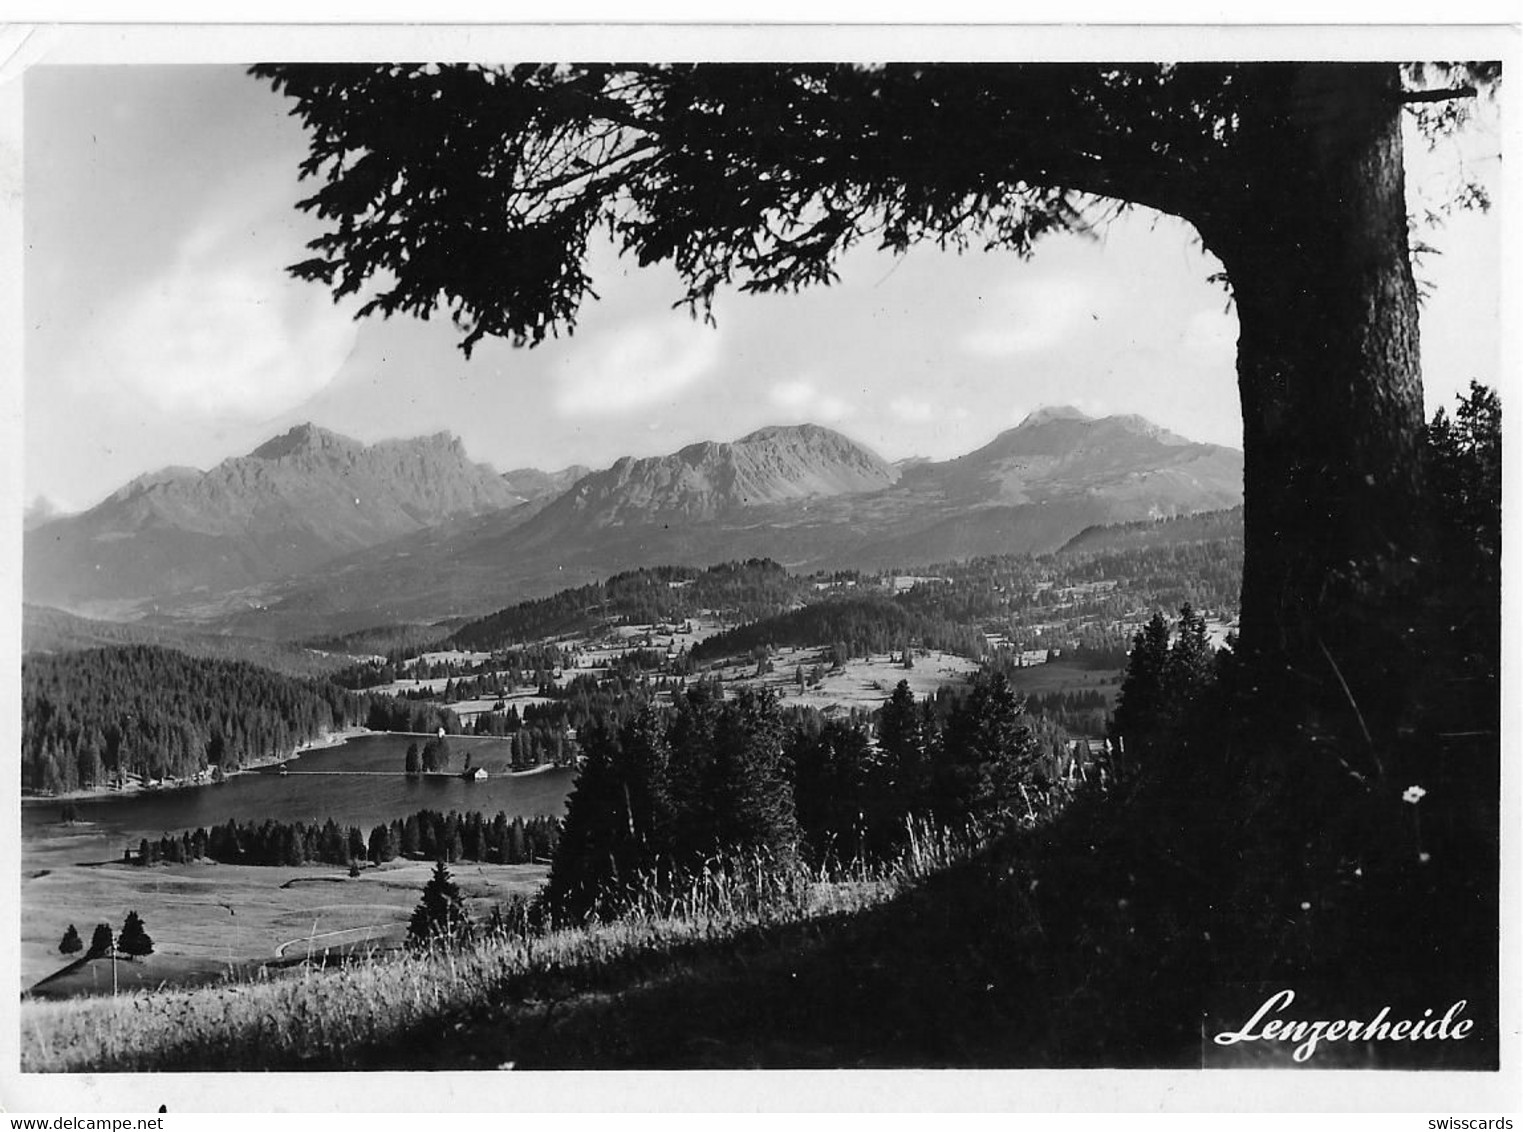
x=712 y=776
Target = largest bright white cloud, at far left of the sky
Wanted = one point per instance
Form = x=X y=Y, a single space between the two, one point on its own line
x=222 y=331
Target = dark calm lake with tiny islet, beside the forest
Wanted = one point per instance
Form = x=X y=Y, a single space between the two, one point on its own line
x=363 y=801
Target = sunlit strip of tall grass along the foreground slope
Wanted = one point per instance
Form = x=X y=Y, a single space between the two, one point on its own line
x=371 y=1009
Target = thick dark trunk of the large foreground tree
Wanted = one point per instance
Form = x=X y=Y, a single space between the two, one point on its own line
x=1317 y=249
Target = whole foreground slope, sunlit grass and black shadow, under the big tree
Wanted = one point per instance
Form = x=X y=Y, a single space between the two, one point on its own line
x=1087 y=944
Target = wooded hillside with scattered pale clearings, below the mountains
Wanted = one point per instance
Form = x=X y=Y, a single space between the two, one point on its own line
x=1090 y=596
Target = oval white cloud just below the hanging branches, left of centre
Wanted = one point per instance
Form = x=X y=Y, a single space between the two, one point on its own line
x=639 y=365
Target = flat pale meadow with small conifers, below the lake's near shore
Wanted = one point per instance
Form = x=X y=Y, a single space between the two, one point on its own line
x=206 y=919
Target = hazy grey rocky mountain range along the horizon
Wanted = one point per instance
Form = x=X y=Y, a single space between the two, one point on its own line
x=314 y=532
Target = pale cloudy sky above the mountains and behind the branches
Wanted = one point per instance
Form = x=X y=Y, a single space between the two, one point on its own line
x=161 y=327
